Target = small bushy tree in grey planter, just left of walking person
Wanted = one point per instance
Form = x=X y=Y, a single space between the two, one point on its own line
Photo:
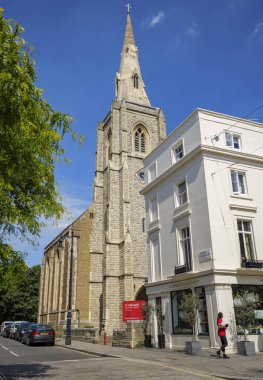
x=189 y=305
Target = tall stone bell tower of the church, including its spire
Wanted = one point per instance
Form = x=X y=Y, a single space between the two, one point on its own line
x=130 y=130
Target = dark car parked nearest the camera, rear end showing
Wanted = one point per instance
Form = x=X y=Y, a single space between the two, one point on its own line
x=37 y=333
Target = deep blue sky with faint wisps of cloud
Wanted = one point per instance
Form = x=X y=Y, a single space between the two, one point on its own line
x=192 y=53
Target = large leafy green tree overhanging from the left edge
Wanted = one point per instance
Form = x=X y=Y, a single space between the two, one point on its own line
x=31 y=136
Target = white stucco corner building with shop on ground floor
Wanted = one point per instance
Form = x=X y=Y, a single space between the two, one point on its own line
x=204 y=217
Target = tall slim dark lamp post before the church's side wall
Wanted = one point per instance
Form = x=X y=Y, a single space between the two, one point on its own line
x=69 y=312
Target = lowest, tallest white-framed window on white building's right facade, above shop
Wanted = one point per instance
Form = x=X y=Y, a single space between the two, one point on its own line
x=246 y=239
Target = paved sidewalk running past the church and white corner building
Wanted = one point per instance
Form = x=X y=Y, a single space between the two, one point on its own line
x=208 y=365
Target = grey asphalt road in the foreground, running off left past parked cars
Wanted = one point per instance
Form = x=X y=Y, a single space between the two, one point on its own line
x=18 y=361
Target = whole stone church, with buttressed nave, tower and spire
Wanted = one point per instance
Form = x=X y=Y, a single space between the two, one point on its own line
x=103 y=254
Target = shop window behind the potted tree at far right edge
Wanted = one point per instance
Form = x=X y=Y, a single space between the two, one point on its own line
x=257 y=328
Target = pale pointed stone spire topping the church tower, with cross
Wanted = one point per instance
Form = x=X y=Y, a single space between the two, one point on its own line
x=129 y=83
